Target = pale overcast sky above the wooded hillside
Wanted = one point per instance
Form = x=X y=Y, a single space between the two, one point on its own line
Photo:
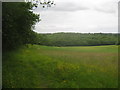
x=83 y=16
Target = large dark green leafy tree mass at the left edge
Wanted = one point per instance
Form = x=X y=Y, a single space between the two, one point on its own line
x=18 y=21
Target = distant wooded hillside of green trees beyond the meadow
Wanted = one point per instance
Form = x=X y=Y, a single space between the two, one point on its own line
x=78 y=39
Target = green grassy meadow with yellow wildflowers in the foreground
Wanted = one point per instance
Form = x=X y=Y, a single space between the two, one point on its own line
x=61 y=67
